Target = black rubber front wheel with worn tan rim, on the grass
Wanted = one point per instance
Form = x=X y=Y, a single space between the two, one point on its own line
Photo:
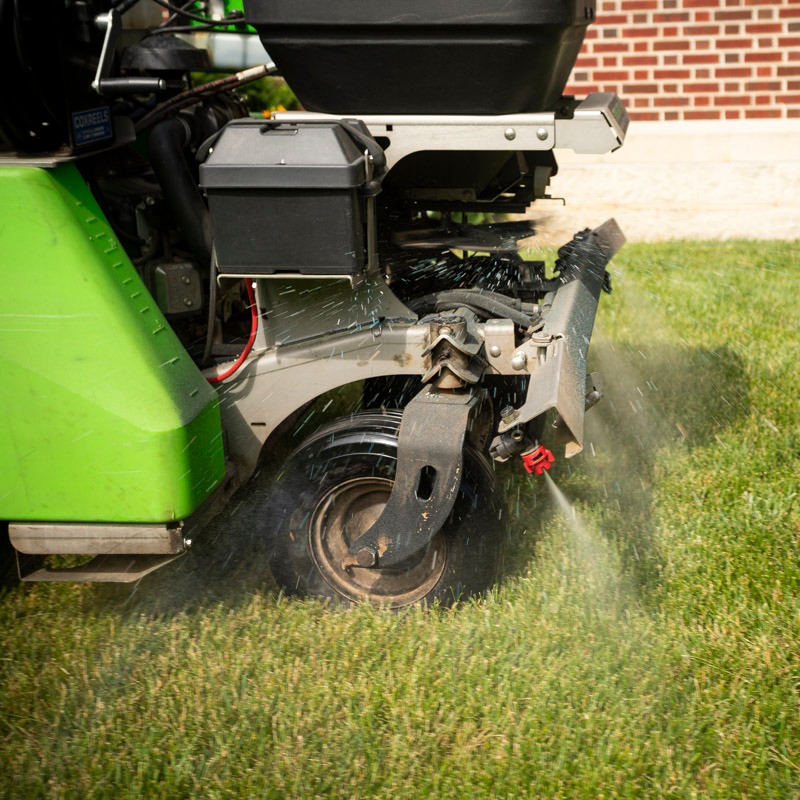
x=334 y=486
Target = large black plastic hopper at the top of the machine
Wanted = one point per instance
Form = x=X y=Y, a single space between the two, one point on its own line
x=424 y=56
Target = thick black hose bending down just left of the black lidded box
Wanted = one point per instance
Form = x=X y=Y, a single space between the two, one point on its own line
x=165 y=146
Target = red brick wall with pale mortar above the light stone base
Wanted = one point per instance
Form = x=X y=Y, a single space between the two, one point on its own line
x=695 y=59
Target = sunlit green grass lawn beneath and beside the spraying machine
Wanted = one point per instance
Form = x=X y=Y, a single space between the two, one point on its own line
x=646 y=646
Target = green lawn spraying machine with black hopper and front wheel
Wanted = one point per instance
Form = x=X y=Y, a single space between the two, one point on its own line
x=180 y=281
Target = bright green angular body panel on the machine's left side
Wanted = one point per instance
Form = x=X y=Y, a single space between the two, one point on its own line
x=104 y=417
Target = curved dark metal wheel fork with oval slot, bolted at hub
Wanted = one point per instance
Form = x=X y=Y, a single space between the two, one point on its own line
x=429 y=471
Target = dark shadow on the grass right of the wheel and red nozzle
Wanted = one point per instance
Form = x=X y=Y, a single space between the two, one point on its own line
x=659 y=403
